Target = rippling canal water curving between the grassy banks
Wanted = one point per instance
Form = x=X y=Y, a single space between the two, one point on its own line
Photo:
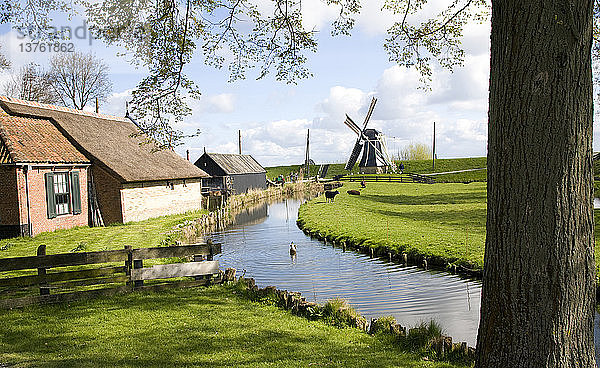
x=257 y=246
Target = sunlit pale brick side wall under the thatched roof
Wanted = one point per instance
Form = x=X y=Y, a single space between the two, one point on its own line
x=153 y=199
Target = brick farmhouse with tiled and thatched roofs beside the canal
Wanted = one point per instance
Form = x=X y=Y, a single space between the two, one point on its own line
x=61 y=168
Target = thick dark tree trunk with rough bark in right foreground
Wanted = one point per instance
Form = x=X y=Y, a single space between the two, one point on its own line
x=538 y=284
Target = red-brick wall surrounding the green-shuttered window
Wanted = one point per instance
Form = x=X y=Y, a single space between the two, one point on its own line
x=37 y=199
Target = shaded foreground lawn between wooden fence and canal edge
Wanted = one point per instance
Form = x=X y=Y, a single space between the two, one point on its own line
x=213 y=327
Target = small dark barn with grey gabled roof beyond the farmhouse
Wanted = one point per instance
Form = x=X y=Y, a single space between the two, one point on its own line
x=233 y=173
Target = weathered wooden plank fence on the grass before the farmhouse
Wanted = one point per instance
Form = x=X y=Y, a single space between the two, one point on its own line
x=75 y=280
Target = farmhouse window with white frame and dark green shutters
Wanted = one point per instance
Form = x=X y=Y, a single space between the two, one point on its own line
x=63 y=193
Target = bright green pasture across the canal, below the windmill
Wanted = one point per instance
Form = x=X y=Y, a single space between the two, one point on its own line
x=439 y=220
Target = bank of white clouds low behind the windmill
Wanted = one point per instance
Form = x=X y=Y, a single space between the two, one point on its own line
x=404 y=113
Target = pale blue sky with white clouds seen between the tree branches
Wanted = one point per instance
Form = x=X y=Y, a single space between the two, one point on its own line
x=348 y=71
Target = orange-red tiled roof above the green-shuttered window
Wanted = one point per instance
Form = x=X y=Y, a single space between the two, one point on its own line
x=30 y=140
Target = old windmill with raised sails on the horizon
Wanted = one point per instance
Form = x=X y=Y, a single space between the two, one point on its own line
x=371 y=142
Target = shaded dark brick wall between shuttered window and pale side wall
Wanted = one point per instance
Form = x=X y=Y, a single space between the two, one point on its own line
x=108 y=190
